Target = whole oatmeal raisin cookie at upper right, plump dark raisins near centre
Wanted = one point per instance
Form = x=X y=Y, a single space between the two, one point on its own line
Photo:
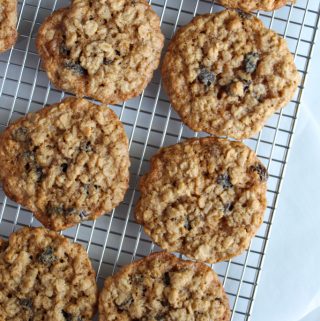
x=226 y=74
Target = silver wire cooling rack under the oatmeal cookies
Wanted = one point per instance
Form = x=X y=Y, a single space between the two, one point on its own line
x=116 y=239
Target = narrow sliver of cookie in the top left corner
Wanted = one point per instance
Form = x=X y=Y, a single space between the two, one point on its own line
x=8 y=21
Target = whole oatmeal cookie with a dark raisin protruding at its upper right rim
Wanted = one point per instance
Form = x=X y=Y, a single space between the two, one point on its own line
x=204 y=198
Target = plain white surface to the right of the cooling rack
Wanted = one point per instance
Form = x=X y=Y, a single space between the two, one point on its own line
x=289 y=287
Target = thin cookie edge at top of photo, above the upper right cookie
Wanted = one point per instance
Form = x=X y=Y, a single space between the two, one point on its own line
x=250 y=5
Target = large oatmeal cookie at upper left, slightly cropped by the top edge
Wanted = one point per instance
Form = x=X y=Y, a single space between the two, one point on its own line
x=107 y=50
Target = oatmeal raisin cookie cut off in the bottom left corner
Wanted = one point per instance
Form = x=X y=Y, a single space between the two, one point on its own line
x=45 y=277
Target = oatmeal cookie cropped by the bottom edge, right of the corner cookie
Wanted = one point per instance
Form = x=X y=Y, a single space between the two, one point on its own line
x=162 y=287
